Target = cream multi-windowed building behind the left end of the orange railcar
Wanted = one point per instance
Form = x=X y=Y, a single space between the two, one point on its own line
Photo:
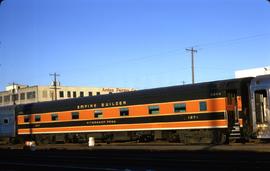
x=22 y=94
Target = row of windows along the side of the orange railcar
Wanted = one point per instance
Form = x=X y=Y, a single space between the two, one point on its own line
x=153 y=109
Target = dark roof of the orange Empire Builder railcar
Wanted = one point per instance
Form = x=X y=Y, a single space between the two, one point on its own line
x=162 y=93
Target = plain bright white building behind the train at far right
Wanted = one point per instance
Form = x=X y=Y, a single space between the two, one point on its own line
x=252 y=72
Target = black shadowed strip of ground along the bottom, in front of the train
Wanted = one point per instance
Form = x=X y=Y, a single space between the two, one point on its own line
x=132 y=160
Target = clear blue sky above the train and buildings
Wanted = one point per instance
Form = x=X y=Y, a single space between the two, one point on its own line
x=130 y=43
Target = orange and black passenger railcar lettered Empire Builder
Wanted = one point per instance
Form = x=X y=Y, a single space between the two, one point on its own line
x=211 y=112
